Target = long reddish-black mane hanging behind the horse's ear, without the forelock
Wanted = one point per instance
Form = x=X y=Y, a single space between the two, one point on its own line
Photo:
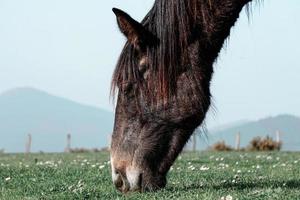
x=172 y=22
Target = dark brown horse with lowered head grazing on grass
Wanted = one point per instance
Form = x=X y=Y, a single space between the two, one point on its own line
x=162 y=82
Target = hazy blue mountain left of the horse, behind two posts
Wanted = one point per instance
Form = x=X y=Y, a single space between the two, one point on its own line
x=49 y=119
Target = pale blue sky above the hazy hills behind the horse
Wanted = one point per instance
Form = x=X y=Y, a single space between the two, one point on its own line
x=69 y=48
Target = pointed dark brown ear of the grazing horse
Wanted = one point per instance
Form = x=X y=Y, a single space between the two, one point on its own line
x=133 y=30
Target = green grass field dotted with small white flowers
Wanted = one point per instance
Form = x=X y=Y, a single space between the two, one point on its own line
x=202 y=175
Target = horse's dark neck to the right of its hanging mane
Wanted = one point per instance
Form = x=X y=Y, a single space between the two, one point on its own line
x=215 y=18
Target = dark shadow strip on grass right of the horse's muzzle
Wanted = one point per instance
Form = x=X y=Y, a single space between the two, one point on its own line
x=290 y=184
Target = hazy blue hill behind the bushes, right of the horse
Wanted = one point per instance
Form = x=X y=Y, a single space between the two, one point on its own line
x=287 y=125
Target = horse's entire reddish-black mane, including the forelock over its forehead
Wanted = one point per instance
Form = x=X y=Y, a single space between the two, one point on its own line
x=174 y=23
